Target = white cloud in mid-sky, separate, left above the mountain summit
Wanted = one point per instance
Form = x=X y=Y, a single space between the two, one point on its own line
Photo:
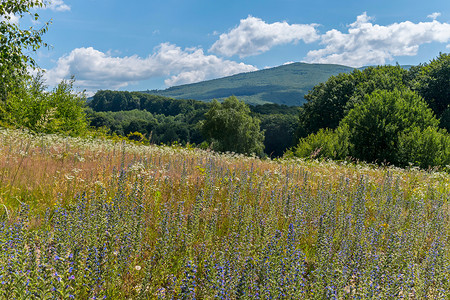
x=254 y=36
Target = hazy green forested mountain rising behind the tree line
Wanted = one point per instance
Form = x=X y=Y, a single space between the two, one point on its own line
x=285 y=84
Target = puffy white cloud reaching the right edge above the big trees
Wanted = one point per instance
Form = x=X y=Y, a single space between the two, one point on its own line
x=366 y=43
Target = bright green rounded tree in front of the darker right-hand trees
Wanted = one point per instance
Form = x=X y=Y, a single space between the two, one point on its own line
x=376 y=123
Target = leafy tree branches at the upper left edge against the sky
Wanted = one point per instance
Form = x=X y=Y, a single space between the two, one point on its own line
x=16 y=43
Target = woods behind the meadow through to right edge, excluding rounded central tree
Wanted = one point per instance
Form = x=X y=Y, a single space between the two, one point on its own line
x=382 y=114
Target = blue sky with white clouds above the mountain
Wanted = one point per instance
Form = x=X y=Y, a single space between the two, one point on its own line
x=154 y=44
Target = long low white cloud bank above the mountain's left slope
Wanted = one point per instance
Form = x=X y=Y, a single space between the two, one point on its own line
x=95 y=70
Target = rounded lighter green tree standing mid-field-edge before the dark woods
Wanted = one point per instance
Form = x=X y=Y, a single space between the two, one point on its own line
x=229 y=127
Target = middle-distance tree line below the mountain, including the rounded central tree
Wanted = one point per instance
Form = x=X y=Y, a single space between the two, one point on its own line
x=166 y=120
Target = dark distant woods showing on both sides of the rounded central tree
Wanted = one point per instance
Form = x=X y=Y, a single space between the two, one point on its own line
x=165 y=120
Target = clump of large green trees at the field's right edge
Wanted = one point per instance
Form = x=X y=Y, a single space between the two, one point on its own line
x=384 y=114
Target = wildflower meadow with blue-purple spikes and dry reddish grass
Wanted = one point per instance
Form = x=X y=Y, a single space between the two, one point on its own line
x=98 y=219
